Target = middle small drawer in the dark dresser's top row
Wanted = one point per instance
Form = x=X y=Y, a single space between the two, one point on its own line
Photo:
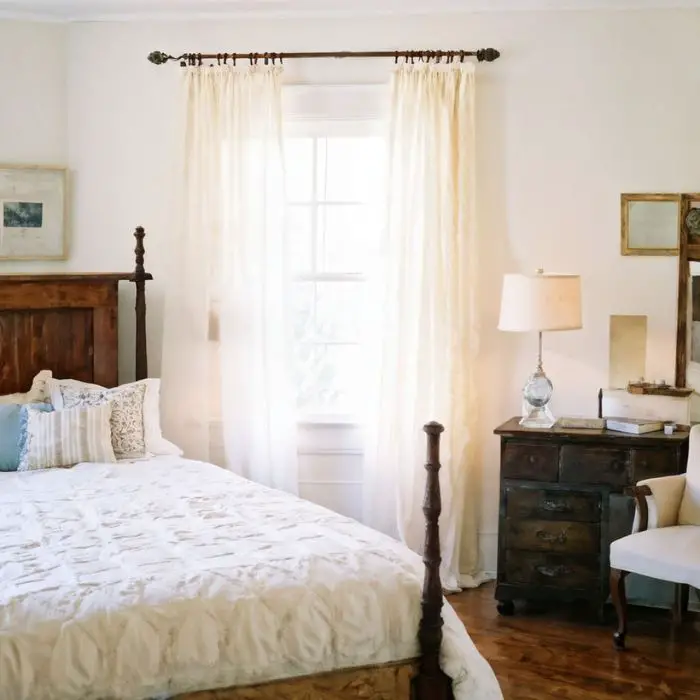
x=595 y=465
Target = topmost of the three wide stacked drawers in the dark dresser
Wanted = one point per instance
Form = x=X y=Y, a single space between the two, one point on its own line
x=552 y=504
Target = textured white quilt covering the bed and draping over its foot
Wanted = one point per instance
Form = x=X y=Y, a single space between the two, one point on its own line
x=162 y=576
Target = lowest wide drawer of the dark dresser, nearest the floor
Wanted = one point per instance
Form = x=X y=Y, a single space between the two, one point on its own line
x=532 y=568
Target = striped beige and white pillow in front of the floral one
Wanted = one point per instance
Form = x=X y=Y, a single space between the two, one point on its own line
x=64 y=438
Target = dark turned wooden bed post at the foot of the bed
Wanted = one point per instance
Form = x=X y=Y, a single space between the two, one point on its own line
x=431 y=683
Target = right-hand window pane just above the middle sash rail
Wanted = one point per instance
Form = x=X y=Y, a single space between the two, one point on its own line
x=344 y=232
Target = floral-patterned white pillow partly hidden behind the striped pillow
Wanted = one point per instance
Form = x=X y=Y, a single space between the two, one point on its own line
x=127 y=414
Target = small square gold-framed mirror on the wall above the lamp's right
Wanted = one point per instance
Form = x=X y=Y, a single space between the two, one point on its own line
x=651 y=224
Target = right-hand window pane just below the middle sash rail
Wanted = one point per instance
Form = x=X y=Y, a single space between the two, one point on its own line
x=339 y=307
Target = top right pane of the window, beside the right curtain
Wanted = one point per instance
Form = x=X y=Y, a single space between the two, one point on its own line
x=349 y=169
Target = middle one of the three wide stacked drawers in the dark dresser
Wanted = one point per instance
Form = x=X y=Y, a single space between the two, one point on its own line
x=553 y=536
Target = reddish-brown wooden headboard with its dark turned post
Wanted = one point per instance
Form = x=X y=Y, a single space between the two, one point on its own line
x=68 y=324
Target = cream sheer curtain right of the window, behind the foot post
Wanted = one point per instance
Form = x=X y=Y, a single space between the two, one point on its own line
x=426 y=353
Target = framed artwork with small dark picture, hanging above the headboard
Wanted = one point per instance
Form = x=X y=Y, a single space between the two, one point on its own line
x=32 y=213
